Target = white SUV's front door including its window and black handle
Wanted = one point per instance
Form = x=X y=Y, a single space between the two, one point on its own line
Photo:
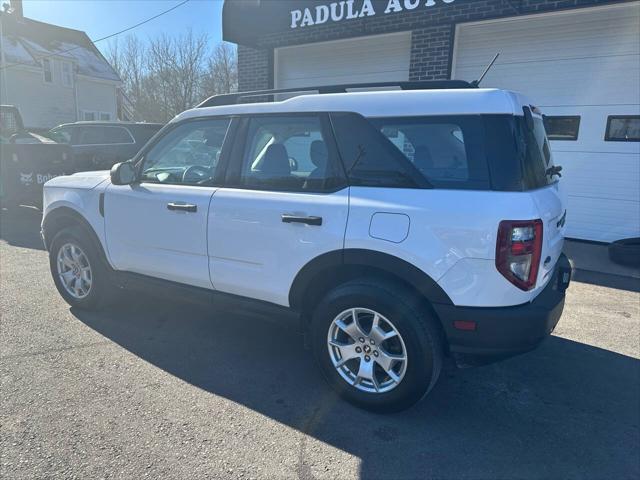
x=158 y=226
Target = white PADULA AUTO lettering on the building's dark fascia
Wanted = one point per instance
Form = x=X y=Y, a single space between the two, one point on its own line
x=351 y=9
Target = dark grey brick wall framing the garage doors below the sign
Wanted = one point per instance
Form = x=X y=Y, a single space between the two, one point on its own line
x=432 y=35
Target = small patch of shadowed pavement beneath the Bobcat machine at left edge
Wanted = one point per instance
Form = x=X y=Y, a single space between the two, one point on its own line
x=20 y=227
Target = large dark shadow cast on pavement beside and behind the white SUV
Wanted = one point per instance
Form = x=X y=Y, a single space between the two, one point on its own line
x=567 y=410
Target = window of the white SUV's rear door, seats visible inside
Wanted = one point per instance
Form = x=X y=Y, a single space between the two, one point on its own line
x=290 y=153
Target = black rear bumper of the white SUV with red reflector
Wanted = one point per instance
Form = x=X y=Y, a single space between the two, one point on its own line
x=507 y=331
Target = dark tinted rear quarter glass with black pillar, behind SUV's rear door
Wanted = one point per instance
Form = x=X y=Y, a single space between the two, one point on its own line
x=473 y=152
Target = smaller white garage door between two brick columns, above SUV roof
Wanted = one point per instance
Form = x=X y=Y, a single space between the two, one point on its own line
x=378 y=58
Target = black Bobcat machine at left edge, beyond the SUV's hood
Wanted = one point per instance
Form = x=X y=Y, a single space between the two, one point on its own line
x=27 y=161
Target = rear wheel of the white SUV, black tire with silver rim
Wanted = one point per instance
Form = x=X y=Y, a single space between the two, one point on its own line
x=377 y=345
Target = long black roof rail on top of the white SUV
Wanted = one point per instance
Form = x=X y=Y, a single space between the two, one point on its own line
x=233 y=98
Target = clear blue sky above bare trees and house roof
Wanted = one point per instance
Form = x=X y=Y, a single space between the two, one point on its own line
x=100 y=18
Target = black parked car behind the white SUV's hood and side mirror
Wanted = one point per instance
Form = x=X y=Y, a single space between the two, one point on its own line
x=99 y=145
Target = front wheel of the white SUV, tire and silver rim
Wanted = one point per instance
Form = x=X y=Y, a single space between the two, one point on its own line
x=79 y=271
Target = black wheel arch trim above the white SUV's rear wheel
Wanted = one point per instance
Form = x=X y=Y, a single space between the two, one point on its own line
x=385 y=262
